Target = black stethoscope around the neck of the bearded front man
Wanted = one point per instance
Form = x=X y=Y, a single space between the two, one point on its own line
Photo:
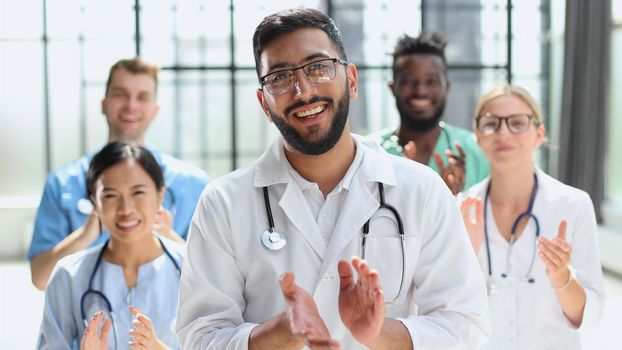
x=274 y=240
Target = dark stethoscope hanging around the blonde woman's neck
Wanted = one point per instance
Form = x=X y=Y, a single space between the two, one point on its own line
x=528 y=214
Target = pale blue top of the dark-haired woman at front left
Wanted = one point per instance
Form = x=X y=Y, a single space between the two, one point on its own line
x=156 y=293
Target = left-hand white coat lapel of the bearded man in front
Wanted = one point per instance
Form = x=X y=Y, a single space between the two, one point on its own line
x=290 y=203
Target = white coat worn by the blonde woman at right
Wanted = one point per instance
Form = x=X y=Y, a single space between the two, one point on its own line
x=529 y=316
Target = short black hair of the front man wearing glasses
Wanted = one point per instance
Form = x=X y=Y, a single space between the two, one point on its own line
x=288 y=21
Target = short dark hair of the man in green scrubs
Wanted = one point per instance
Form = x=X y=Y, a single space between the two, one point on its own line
x=431 y=43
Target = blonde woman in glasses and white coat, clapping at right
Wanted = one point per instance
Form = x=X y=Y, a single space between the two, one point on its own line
x=535 y=237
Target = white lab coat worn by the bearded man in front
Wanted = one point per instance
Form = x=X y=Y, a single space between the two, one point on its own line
x=230 y=280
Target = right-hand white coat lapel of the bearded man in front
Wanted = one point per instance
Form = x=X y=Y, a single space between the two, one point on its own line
x=359 y=205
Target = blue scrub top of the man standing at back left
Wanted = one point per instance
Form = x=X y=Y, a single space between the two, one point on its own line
x=64 y=205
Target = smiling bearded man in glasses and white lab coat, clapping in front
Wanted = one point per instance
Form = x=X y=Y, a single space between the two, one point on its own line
x=269 y=261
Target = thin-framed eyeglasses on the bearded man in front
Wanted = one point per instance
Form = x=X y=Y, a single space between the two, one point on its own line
x=282 y=81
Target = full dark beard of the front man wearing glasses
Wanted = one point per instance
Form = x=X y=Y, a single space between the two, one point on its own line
x=325 y=142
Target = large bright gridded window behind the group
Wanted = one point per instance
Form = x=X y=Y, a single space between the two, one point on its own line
x=55 y=56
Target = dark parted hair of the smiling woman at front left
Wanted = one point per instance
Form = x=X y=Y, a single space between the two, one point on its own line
x=116 y=152
